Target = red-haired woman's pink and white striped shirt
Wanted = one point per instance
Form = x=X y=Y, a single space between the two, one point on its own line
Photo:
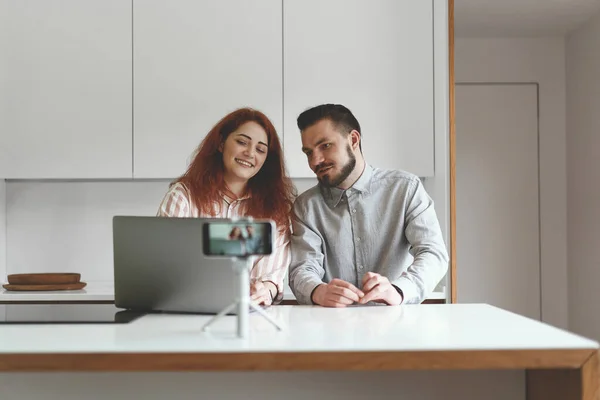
x=177 y=203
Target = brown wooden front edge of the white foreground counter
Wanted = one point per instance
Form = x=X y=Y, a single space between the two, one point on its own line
x=299 y=361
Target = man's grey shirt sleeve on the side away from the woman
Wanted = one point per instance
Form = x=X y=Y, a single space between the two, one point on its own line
x=424 y=234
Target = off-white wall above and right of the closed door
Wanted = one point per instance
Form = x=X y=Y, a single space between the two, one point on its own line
x=538 y=60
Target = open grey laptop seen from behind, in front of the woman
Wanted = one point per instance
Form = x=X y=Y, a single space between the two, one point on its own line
x=159 y=265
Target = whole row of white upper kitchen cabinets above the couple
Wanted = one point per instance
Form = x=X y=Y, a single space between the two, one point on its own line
x=116 y=89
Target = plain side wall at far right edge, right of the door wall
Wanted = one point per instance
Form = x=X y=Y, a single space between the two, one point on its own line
x=583 y=176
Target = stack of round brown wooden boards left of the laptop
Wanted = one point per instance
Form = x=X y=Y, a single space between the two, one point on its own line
x=45 y=281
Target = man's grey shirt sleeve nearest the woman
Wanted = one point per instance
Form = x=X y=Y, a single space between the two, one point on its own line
x=306 y=267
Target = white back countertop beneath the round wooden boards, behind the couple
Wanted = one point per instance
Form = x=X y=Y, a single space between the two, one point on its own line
x=101 y=291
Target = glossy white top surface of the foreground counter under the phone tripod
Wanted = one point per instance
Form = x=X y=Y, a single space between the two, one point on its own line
x=305 y=329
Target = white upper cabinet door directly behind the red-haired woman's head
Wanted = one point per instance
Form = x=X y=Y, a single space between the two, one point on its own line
x=194 y=62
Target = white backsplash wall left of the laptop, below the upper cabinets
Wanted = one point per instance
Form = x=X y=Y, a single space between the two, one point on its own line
x=61 y=226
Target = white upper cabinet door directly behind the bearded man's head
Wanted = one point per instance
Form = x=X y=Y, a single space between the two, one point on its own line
x=376 y=58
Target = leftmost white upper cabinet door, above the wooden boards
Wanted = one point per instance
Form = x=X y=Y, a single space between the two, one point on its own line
x=65 y=89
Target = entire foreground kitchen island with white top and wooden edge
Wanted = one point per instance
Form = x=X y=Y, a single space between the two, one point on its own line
x=435 y=338
